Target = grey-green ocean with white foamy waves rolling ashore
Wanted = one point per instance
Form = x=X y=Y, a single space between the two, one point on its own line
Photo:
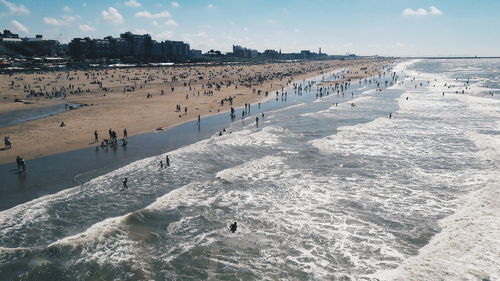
x=330 y=188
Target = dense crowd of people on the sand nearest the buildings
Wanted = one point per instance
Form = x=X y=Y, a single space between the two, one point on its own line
x=211 y=77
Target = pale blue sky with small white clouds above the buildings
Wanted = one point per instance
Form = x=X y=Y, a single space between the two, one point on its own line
x=362 y=27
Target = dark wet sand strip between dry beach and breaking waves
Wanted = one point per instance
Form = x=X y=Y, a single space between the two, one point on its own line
x=19 y=187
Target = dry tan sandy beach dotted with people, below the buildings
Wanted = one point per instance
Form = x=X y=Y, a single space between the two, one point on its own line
x=143 y=99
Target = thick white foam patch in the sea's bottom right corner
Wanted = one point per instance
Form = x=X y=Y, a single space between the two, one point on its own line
x=467 y=246
